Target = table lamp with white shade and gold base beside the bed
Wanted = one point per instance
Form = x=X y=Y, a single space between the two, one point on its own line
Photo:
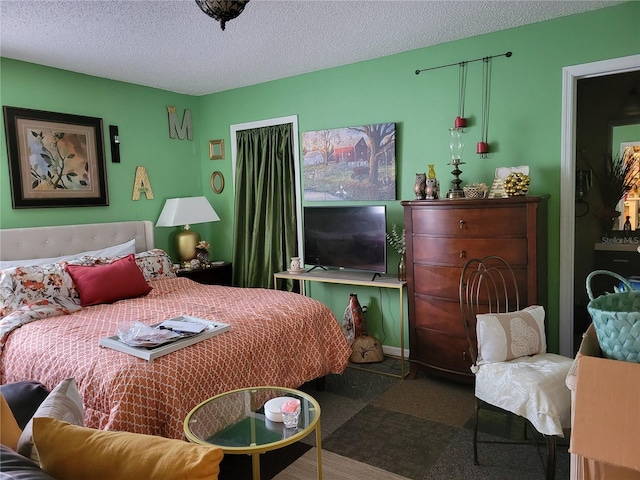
x=185 y=212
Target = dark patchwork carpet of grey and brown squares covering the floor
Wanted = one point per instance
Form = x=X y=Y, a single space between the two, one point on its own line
x=418 y=429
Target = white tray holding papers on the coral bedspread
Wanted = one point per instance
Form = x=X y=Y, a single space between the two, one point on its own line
x=191 y=330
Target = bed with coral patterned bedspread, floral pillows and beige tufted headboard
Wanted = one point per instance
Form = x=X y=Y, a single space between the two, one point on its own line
x=277 y=338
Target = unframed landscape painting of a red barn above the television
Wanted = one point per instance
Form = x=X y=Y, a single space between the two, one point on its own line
x=352 y=163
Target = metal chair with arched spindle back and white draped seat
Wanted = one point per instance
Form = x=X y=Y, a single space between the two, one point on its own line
x=489 y=286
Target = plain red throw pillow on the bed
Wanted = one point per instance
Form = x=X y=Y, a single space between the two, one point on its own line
x=109 y=283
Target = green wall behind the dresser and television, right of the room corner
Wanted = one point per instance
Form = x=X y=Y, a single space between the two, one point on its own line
x=524 y=126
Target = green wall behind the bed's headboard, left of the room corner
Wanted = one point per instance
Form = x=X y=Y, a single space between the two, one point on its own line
x=140 y=113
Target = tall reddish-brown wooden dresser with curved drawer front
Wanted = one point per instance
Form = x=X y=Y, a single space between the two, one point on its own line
x=441 y=236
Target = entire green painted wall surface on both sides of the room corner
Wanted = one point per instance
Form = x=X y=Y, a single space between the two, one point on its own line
x=524 y=126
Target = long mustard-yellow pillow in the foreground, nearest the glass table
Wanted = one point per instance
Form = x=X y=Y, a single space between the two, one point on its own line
x=71 y=452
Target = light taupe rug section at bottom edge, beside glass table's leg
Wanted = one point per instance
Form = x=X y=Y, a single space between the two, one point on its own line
x=334 y=467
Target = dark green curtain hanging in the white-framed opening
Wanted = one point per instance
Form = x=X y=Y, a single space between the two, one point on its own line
x=264 y=237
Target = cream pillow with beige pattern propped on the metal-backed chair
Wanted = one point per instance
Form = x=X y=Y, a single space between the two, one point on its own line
x=505 y=336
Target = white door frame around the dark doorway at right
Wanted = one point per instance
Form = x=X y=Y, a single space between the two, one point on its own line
x=570 y=77
